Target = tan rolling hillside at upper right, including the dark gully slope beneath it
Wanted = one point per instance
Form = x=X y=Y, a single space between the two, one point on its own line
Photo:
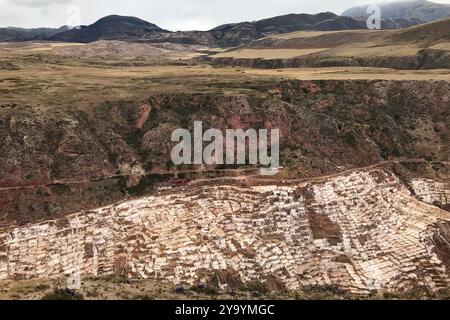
x=421 y=47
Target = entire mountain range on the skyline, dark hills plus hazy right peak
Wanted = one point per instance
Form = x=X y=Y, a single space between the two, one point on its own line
x=124 y=28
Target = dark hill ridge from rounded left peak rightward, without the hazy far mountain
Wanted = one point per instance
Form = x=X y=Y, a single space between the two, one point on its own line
x=230 y=35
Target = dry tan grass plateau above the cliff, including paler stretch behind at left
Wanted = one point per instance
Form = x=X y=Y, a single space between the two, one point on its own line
x=43 y=75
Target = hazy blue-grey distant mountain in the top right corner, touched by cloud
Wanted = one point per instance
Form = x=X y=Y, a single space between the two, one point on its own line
x=418 y=9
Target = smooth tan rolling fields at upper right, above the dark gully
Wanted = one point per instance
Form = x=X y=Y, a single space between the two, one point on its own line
x=349 y=44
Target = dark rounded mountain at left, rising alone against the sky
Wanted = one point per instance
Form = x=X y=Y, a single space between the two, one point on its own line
x=112 y=27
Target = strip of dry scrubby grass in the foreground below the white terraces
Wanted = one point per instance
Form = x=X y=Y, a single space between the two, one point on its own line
x=117 y=288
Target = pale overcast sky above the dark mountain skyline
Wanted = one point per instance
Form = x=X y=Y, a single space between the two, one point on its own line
x=169 y=14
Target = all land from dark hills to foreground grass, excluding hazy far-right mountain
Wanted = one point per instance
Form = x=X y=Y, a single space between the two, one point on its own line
x=360 y=207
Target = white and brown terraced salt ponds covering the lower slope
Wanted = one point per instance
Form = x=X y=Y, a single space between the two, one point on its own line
x=361 y=231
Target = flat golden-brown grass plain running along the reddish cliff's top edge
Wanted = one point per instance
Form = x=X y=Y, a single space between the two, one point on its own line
x=75 y=84
